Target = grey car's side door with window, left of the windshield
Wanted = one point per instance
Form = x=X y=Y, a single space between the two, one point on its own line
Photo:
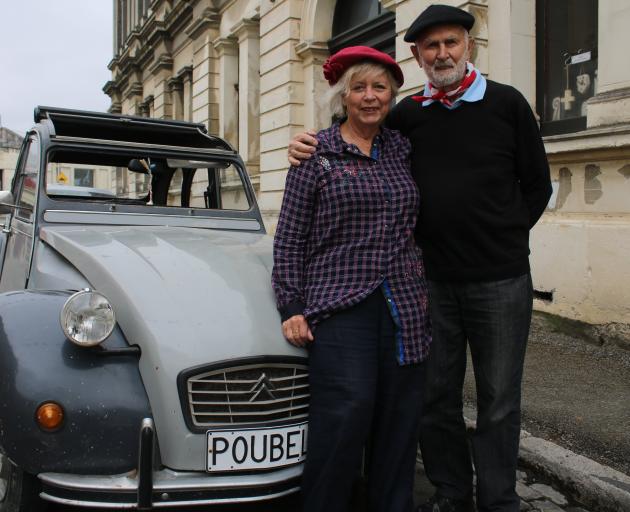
x=19 y=230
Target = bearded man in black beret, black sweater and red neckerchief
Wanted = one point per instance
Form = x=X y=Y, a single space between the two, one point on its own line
x=480 y=165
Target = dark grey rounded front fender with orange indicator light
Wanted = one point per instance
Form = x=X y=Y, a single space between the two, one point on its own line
x=99 y=388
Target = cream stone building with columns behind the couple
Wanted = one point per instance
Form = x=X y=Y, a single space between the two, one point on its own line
x=251 y=71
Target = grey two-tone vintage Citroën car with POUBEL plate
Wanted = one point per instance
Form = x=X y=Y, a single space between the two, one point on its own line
x=142 y=363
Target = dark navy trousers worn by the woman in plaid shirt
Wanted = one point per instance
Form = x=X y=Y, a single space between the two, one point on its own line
x=360 y=393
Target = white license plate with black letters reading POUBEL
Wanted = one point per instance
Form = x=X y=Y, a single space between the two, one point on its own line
x=257 y=448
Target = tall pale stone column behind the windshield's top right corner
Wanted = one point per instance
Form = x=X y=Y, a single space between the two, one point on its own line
x=247 y=33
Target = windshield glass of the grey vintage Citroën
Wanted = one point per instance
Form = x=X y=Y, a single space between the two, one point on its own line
x=146 y=180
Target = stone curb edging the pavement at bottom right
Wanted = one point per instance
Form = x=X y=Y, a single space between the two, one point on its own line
x=598 y=487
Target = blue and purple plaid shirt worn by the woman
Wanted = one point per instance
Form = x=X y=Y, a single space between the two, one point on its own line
x=345 y=229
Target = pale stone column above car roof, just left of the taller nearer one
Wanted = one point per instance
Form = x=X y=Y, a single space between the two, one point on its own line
x=227 y=52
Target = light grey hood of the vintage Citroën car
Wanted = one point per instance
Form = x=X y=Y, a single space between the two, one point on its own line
x=187 y=297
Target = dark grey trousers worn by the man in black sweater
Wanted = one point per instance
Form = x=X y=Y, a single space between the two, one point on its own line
x=493 y=318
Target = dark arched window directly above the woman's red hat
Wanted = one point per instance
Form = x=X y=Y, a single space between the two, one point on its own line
x=363 y=22
